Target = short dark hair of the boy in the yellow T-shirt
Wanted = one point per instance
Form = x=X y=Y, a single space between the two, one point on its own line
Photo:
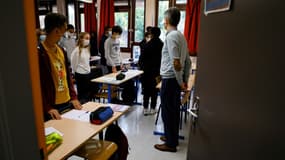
x=54 y=20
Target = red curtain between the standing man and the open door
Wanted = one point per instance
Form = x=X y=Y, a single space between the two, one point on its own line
x=192 y=23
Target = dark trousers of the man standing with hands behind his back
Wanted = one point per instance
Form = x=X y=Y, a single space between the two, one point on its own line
x=170 y=107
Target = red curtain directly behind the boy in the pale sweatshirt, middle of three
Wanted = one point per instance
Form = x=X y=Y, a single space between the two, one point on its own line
x=106 y=15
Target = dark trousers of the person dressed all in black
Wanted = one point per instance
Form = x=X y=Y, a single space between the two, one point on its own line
x=149 y=90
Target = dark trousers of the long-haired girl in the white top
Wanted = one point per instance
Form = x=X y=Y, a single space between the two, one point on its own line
x=83 y=86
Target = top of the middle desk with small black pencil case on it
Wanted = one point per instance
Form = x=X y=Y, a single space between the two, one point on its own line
x=111 y=78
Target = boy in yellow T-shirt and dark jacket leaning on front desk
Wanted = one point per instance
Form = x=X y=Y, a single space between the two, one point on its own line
x=57 y=88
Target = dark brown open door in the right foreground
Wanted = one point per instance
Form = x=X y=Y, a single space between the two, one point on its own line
x=240 y=83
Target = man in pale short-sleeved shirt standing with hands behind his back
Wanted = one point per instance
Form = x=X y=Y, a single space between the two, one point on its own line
x=174 y=71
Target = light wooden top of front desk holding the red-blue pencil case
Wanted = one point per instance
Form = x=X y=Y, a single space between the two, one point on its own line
x=76 y=133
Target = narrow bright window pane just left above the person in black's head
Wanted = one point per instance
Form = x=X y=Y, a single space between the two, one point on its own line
x=139 y=20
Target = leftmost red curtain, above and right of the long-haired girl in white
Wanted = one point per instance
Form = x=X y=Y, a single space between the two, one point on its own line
x=90 y=17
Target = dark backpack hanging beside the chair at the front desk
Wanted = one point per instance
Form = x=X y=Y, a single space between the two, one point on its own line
x=115 y=134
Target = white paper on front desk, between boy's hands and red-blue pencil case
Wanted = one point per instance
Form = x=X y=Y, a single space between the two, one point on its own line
x=77 y=115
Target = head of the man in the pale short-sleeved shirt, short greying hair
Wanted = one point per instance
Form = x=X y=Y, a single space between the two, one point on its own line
x=173 y=16
